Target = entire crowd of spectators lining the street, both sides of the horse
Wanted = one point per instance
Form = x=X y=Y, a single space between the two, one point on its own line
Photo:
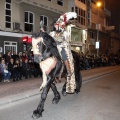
x=18 y=66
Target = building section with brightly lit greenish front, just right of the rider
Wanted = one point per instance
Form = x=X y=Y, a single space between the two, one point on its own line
x=78 y=31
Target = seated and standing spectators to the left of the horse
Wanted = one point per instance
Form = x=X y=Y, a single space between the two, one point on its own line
x=18 y=66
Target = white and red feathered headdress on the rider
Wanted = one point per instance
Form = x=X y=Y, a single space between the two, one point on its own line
x=64 y=19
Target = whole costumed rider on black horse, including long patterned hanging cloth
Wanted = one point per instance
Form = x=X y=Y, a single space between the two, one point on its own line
x=61 y=36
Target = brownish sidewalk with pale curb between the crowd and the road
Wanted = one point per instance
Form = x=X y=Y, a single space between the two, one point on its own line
x=26 y=88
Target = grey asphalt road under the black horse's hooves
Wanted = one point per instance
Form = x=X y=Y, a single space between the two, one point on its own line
x=99 y=99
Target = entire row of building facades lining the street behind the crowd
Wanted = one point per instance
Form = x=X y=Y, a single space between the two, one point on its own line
x=21 y=18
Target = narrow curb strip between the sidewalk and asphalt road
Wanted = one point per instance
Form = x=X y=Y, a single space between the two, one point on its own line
x=26 y=96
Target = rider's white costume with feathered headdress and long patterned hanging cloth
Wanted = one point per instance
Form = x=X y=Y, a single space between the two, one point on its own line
x=63 y=38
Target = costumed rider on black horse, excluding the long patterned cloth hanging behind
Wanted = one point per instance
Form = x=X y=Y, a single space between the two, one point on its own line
x=60 y=35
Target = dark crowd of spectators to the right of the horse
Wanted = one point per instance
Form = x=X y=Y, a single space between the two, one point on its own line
x=92 y=61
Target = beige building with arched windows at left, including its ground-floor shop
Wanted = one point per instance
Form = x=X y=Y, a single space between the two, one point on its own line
x=21 y=18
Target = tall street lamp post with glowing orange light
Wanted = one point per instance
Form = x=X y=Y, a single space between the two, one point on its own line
x=98 y=4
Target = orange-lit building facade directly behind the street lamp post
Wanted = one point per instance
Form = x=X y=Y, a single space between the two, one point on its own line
x=98 y=20
